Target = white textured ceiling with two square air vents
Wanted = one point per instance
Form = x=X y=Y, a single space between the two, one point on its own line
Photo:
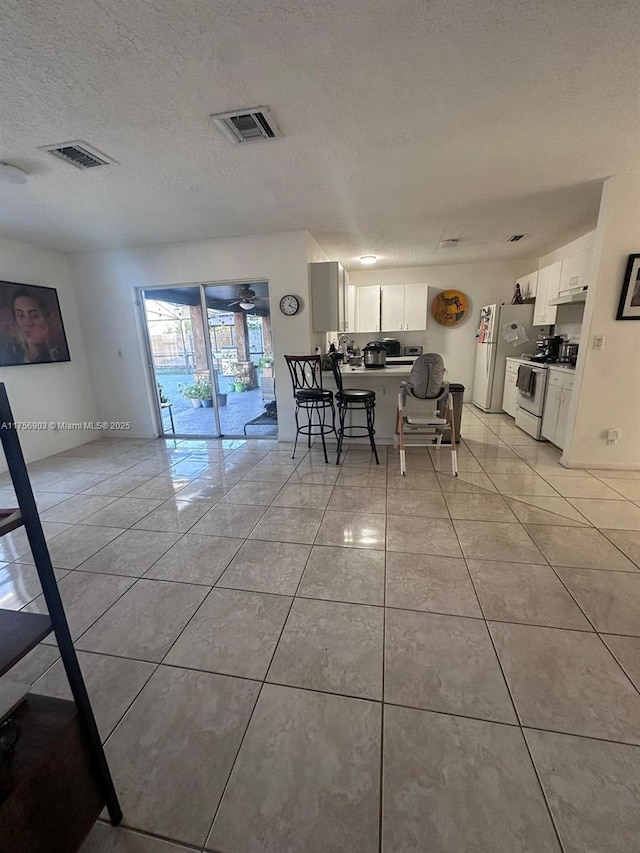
x=403 y=122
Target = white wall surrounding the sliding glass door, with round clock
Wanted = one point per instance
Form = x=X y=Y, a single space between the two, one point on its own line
x=105 y=285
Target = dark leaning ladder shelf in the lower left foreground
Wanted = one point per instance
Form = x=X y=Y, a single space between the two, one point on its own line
x=56 y=781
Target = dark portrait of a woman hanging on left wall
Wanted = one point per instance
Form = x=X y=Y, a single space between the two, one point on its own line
x=31 y=327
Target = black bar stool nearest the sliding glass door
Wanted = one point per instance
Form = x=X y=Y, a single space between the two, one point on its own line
x=311 y=397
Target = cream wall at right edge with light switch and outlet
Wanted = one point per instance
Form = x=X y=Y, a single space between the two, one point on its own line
x=607 y=387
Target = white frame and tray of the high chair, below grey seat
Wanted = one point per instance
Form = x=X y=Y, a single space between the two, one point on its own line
x=418 y=417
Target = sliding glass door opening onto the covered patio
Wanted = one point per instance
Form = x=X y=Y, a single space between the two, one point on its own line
x=211 y=359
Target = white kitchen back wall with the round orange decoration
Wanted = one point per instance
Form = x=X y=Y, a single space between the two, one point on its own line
x=483 y=284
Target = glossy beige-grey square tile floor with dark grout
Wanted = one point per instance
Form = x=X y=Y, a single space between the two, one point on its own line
x=289 y=656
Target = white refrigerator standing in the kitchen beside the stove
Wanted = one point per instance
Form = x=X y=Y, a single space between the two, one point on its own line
x=503 y=330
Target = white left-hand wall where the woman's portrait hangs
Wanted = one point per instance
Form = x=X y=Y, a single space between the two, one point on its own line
x=48 y=392
